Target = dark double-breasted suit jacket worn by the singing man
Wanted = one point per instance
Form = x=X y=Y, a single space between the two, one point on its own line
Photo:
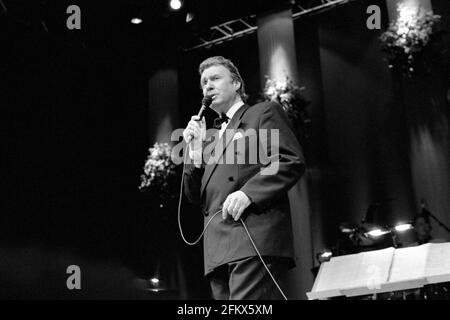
x=268 y=217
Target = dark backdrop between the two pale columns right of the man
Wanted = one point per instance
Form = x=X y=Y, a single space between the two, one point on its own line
x=366 y=134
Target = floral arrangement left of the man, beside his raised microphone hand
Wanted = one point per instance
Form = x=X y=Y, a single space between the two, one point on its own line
x=160 y=174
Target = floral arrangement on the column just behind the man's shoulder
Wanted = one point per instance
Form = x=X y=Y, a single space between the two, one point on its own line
x=289 y=96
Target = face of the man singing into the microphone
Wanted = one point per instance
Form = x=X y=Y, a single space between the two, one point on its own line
x=216 y=81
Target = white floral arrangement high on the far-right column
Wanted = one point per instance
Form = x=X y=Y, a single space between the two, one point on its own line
x=408 y=38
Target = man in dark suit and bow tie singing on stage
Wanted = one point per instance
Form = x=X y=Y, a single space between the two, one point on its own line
x=229 y=181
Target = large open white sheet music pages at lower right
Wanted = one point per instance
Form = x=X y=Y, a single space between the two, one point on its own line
x=383 y=271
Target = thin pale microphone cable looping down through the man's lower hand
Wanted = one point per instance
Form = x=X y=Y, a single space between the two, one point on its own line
x=209 y=221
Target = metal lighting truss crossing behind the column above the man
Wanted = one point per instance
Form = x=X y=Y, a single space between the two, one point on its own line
x=243 y=26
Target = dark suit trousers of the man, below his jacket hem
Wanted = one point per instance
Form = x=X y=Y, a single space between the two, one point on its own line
x=248 y=279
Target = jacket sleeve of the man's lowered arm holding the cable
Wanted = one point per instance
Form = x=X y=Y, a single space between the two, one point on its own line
x=285 y=165
